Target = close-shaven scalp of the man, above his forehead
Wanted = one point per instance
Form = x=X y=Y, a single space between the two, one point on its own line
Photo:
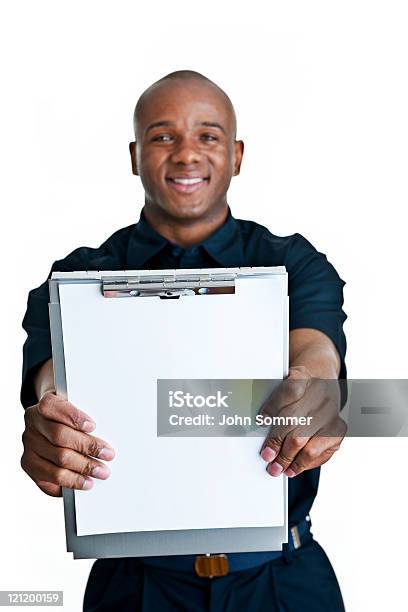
x=187 y=79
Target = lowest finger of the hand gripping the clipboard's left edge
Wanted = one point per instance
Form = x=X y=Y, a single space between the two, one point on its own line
x=40 y=469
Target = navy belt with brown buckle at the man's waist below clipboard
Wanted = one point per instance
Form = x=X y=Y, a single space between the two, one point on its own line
x=217 y=565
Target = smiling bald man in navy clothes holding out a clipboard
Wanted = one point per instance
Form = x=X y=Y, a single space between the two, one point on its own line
x=186 y=153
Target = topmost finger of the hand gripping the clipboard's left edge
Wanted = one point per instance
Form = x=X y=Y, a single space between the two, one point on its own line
x=56 y=408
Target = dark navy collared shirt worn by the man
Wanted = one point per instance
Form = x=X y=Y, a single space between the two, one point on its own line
x=315 y=294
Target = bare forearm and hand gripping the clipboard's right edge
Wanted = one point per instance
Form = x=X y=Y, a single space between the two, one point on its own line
x=307 y=391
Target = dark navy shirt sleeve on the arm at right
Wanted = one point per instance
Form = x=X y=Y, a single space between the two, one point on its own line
x=316 y=295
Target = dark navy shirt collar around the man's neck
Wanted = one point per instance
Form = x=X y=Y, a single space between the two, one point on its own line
x=224 y=245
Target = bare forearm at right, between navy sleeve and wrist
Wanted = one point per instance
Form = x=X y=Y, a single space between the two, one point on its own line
x=315 y=351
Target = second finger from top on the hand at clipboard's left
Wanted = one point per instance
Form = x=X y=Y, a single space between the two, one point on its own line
x=66 y=437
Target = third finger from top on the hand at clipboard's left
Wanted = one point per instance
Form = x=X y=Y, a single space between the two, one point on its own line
x=65 y=457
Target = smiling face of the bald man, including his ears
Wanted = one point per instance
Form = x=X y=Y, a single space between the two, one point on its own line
x=185 y=152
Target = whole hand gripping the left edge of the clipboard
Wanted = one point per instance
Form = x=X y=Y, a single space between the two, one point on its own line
x=58 y=450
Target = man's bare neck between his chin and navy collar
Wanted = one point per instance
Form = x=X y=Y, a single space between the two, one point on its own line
x=184 y=232
